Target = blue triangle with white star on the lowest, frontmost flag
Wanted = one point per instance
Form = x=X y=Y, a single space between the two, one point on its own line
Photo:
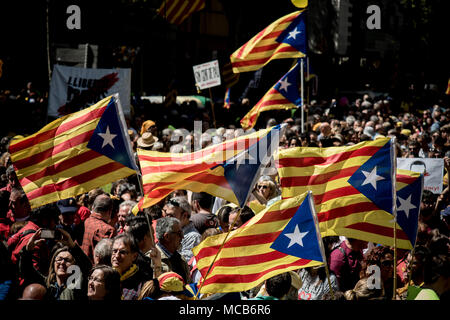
x=299 y=237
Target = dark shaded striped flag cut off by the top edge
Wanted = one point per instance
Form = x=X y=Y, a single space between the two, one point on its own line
x=176 y=11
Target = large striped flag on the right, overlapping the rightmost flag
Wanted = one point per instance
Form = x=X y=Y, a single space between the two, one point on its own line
x=352 y=187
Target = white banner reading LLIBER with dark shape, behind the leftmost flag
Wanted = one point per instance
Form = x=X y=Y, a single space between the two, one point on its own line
x=73 y=89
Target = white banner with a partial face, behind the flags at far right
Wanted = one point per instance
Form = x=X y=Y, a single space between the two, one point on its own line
x=433 y=169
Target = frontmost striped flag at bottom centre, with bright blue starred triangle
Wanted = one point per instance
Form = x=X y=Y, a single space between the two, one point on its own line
x=256 y=251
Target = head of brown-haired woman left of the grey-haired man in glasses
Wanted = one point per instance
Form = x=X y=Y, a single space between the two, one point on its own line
x=124 y=252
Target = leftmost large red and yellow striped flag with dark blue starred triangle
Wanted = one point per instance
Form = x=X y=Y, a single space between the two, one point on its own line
x=74 y=154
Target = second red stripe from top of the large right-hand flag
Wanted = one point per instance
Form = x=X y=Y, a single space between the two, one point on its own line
x=317 y=179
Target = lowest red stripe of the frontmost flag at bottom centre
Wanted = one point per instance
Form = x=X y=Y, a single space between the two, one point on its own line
x=247 y=278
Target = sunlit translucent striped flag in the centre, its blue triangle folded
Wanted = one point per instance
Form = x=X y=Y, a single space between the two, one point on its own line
x=227 y=170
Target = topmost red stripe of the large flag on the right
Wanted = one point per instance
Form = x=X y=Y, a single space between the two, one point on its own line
x=298 y=162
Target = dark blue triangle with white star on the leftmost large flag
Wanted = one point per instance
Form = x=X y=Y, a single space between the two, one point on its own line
x=108 y=138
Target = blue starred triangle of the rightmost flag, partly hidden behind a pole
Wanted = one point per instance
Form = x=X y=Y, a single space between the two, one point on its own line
x=408 y=208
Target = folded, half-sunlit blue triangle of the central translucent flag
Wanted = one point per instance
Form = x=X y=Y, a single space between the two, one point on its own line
x=240 y=170
